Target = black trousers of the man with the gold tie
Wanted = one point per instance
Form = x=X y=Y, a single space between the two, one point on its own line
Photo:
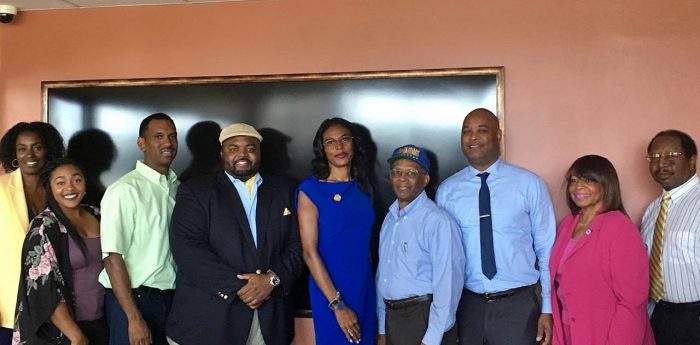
x=676 y=323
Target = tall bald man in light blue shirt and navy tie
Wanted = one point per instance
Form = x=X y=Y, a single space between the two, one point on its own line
x=505 y=309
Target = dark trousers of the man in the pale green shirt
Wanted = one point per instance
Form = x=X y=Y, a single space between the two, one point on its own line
x=154 y=307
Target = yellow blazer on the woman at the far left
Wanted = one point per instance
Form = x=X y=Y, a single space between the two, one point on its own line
x=14 y=222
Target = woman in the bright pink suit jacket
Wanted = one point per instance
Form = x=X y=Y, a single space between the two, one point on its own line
x=599 y=267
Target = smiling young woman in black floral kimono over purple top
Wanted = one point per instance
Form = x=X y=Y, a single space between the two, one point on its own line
x=60 y=300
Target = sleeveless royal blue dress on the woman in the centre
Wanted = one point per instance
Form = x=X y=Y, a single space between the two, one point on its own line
x=345 y=219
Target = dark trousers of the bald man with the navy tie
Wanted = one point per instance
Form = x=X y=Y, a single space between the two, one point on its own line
x=508 y=320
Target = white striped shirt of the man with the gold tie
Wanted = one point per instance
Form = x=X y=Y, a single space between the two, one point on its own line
x=680 y=258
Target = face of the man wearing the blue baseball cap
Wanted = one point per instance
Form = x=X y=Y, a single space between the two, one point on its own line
x=408 y=180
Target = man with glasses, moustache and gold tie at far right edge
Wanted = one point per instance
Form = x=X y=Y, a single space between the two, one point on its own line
x=671 y=232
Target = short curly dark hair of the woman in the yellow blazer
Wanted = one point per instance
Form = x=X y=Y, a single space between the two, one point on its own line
x=51 y=138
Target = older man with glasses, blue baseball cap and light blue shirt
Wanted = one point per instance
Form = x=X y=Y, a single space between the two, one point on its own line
x=421 y=260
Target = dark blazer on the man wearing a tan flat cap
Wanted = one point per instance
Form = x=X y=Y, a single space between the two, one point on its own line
x=211 y=242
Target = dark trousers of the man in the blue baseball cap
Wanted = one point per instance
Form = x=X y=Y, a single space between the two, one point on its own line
x=407 y=323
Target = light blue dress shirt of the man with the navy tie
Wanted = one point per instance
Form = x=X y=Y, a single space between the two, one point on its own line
x=523 y=226
